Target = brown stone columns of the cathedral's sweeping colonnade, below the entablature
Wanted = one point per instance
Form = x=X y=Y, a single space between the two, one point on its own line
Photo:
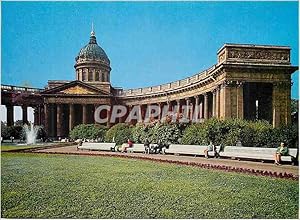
x=230 y=99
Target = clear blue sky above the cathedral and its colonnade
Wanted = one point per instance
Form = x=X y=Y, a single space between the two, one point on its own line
x=148 y=43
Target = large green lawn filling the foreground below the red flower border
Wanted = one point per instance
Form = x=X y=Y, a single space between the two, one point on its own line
x=59 y=186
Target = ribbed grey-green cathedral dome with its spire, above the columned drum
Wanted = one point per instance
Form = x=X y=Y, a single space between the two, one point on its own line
x=92 y=51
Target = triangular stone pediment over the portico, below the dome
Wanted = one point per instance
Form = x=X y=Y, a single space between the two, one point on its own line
x=75 y=88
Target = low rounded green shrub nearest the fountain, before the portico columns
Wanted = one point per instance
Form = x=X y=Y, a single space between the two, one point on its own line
x=88 y=131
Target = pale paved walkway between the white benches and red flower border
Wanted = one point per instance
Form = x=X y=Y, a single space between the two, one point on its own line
x=189 y=160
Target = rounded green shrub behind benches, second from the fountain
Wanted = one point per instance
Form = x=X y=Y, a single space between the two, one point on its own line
x=120 y=133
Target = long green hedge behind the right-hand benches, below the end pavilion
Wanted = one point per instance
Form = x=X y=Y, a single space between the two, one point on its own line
x=230 y=131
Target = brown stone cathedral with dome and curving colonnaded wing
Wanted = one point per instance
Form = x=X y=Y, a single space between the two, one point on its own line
x=247 y=82
